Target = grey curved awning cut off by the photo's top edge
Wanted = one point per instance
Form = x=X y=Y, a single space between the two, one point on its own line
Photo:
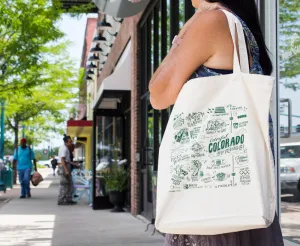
x=121 y=8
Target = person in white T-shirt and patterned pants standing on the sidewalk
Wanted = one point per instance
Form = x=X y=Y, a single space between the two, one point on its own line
x=64 y=170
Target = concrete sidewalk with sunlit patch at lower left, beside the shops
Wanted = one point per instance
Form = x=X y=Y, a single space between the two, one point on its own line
x=40 y=222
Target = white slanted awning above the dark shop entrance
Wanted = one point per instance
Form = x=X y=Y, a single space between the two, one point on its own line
x=115 y=86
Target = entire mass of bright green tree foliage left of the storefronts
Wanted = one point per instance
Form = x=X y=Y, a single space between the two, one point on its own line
x=37 y=79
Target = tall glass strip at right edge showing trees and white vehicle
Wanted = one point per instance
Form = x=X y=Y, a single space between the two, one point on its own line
x=289 y=60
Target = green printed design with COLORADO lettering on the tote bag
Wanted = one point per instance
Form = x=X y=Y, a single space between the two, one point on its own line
x=209 y=150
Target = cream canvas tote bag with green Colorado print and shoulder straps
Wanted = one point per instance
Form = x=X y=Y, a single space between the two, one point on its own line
x=216 y=170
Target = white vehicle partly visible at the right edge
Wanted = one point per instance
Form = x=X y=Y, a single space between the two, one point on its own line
x=290 y=169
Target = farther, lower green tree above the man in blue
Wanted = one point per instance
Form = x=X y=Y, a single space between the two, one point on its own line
x=45 y=107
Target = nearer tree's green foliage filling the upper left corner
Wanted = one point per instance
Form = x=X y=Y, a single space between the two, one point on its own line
x=26 y=28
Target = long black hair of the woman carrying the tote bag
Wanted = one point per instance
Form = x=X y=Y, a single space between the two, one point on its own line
x=247 y=11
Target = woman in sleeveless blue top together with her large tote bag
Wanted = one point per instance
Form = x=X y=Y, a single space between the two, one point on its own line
x=216 y=184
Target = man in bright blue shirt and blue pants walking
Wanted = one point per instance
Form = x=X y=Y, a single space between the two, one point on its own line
x=24 y=156
